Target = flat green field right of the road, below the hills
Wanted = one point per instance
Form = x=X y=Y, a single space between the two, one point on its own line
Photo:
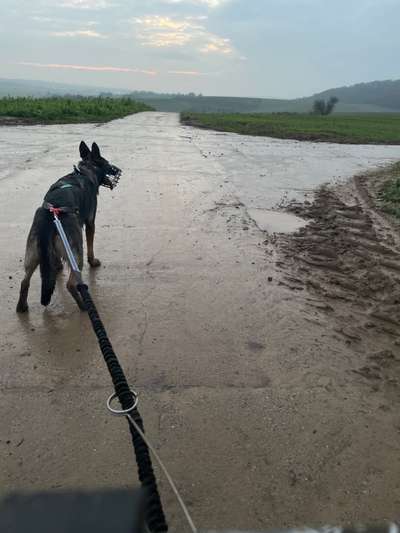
x=373 y=128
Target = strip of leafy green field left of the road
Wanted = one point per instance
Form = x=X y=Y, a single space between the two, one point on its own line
x=67 y=109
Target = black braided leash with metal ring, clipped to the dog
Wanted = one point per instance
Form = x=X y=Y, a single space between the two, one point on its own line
x=128 y=399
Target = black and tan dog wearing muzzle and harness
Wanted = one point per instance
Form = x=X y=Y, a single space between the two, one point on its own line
x=75 y=196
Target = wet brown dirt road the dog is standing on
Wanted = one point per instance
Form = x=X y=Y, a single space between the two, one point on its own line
x=252 y=402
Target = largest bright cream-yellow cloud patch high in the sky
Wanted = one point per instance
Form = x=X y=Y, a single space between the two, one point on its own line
x=166 y=32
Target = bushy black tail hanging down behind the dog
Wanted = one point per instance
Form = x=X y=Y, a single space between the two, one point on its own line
x=48 y=272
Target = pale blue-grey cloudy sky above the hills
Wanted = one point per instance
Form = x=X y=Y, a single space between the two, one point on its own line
x=259 y=48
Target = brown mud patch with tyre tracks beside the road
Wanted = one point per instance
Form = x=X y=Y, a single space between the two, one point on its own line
x=347 y=262
